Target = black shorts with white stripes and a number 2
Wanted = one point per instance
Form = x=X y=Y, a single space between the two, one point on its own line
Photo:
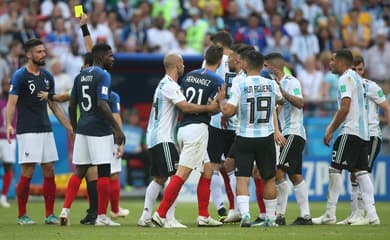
x=350 y=152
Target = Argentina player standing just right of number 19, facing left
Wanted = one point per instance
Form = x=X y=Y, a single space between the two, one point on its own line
x=290 y=158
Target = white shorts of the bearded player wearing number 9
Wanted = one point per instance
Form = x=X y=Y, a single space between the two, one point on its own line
x=36 y=148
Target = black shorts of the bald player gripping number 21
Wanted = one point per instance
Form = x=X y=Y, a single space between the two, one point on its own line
x=164 y=159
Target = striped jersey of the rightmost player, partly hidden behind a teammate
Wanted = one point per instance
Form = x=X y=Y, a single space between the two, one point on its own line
x=375 y=97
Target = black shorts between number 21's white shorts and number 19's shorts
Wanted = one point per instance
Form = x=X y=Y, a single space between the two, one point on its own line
x=220 y=141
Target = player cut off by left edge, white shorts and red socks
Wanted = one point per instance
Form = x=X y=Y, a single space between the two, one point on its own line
x=7 y=151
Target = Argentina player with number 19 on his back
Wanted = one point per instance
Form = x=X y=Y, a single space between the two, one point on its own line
x=254 y=100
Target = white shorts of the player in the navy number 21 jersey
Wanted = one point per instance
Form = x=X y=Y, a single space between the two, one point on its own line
x=193 y=140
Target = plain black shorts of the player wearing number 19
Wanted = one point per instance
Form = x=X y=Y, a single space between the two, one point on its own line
x=260 y=150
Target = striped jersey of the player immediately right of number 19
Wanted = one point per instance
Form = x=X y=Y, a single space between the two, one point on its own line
x=291 y=117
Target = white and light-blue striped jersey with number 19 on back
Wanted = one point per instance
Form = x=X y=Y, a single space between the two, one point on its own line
x=255 y=98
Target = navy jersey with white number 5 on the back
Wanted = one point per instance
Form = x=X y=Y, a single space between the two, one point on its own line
x=92 y=84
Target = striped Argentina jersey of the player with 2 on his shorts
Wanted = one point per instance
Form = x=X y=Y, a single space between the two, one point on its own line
x=356 y=122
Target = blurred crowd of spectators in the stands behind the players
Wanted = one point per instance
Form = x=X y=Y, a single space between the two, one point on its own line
x=304 y=31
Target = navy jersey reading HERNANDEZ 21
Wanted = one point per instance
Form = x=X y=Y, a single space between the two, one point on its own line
x=198 y=86
